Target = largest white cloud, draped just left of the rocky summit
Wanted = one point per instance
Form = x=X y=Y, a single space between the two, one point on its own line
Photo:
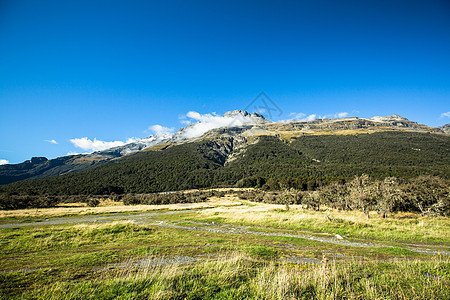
x=206 y=122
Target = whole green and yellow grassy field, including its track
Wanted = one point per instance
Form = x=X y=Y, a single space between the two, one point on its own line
x=222 y=249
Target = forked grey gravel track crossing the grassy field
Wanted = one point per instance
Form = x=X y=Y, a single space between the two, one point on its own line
x=149 y=218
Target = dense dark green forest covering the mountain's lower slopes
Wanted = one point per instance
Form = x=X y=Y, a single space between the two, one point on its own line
x=303 y=163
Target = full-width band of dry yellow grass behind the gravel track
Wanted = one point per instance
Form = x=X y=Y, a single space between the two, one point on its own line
x=401 y=226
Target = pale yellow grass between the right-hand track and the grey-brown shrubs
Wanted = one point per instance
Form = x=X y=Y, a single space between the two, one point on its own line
x=401 y=227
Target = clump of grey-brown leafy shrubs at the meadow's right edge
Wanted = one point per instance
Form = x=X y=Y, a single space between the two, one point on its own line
x=428 y=195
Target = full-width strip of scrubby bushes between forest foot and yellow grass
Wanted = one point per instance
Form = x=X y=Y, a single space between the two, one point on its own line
x=426 y=195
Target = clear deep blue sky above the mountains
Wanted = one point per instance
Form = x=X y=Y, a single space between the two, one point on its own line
x=108 y=70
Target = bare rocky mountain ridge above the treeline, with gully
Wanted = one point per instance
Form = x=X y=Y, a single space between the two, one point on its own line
x=238 y=130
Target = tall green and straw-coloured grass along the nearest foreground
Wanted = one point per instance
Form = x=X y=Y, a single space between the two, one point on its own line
x=237 y=276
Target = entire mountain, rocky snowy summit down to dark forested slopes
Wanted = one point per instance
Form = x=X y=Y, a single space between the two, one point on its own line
x=238 y=146
